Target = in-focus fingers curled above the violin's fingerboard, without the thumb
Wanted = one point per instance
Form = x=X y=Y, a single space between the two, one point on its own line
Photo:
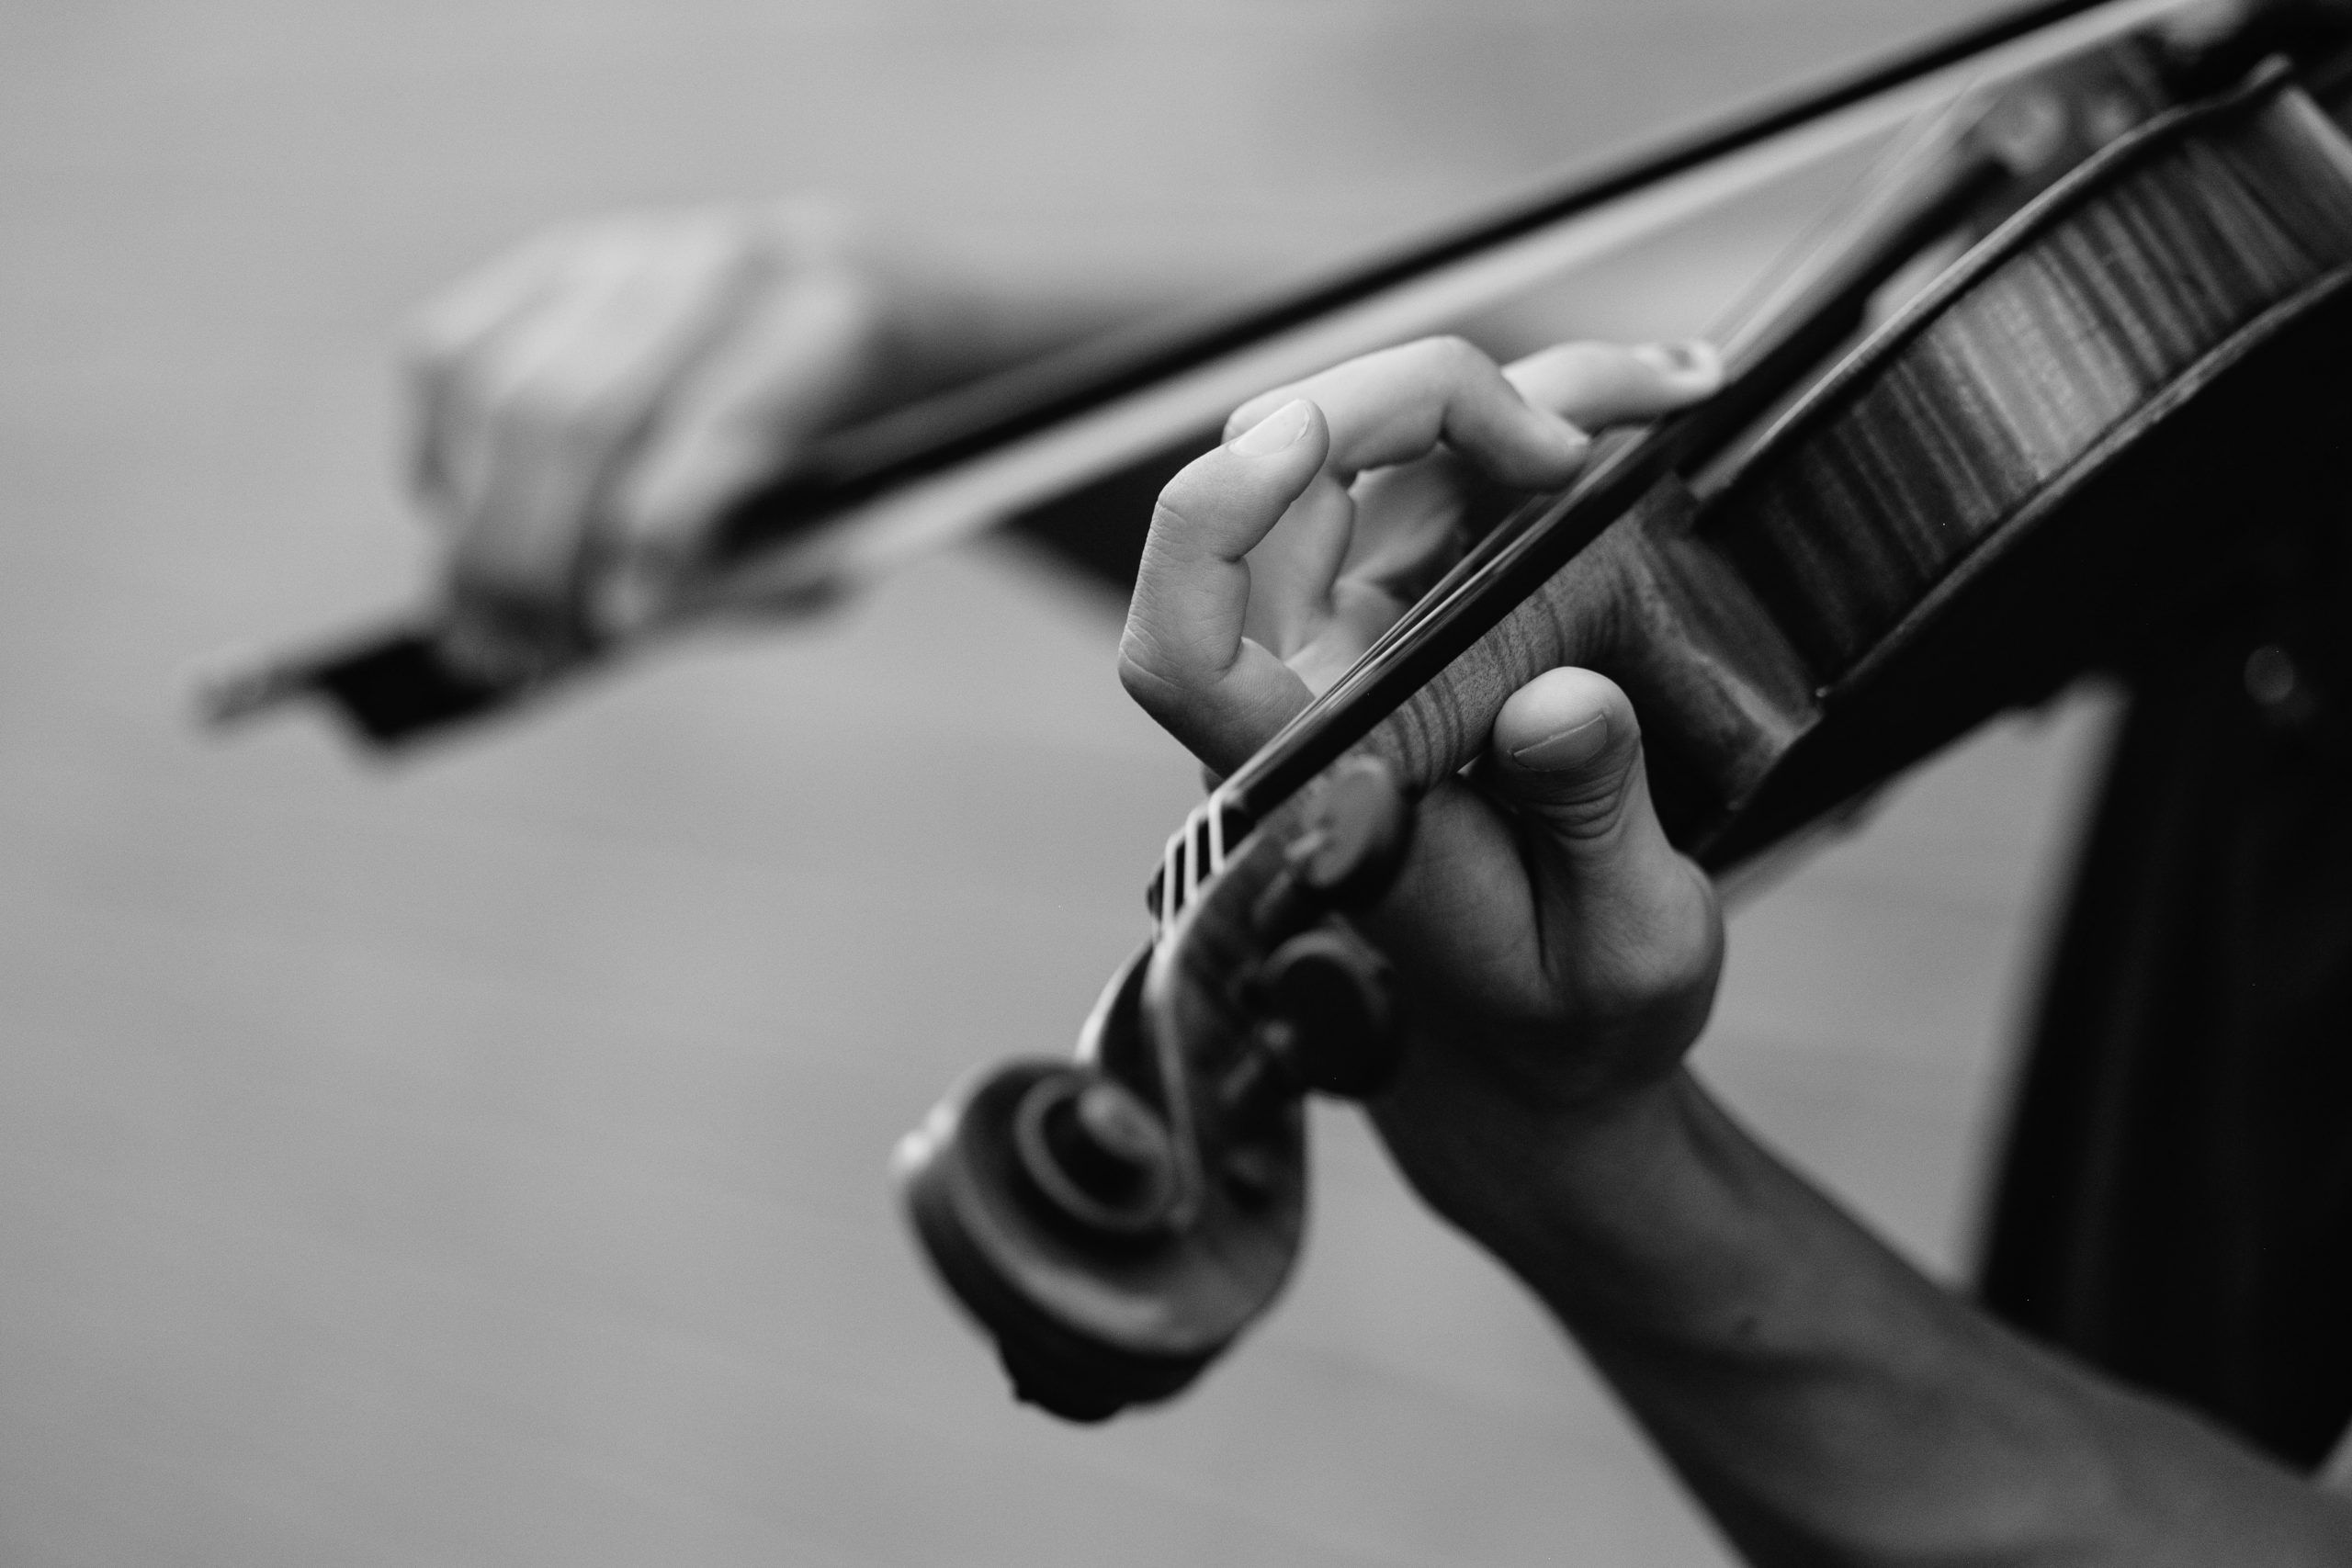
x=1278 y=558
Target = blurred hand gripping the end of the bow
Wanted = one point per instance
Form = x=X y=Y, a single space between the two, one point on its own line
x=592 y=403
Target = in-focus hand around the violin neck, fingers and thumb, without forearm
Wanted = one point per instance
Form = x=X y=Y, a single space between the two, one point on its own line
x=1542 y=916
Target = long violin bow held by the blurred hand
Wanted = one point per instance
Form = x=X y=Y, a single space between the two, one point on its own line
x=1095 y=434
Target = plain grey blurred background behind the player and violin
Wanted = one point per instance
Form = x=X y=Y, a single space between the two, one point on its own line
x=483 y=1160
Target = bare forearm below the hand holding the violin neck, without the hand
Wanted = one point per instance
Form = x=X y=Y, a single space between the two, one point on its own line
x=1819 y=1395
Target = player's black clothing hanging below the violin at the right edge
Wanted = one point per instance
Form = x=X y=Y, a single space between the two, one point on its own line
x=2177 y=1195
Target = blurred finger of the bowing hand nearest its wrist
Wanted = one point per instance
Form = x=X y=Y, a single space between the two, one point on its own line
x=735 y=420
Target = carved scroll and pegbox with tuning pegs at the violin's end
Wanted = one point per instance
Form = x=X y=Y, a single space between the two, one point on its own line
x=1116 y=1219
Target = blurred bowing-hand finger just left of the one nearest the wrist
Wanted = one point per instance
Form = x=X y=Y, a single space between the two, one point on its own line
x=561 y=403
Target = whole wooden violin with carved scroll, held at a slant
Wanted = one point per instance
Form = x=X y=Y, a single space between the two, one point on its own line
x=2104 y=417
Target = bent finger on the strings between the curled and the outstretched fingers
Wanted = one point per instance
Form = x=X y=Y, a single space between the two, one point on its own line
x=1401 y=403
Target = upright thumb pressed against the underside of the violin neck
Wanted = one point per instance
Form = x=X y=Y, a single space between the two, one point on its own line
x=1619 y=909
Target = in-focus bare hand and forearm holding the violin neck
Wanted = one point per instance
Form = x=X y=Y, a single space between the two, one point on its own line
x=1558 y=958
